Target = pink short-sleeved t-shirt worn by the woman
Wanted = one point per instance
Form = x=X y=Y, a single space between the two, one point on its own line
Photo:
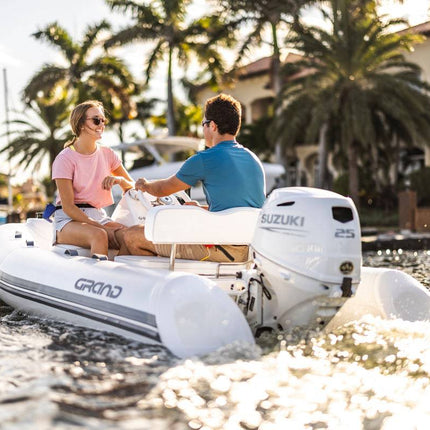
x=87 y=173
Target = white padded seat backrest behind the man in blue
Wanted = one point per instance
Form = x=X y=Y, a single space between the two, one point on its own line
x=194 y=225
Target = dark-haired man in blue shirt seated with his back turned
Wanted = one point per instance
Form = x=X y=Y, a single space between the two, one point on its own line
x=232 y=176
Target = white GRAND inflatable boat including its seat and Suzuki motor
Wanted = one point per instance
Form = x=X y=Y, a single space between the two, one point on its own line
x=304 y=269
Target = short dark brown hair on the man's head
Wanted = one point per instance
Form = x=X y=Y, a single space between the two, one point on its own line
x=226 y=112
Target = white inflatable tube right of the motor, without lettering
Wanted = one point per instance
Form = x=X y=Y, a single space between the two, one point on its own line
x=385 y=293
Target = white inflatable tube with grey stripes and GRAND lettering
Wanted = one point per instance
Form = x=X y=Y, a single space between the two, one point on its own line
x=186 y=313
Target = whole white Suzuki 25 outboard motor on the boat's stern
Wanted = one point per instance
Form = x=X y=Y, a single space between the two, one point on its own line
x=307 y=251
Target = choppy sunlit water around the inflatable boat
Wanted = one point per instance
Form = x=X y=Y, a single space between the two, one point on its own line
x=371 y=375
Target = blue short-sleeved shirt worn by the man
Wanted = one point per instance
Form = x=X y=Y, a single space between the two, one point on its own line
x=231 y=174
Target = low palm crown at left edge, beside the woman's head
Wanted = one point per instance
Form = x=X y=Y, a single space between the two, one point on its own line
x=41 y=132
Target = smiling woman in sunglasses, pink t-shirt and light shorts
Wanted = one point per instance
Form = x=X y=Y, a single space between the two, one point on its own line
x=85 y=173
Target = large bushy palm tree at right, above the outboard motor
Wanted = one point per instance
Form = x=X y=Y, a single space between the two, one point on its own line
x=352 y=83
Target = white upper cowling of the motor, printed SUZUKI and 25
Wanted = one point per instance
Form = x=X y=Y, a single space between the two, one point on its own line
x=312 y=232
